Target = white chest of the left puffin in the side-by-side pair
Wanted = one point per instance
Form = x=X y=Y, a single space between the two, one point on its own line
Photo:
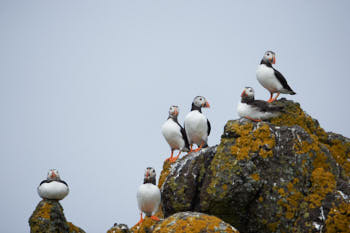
x=172 y=134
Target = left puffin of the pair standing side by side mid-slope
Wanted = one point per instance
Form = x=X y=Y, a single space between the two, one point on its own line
x=174 y=134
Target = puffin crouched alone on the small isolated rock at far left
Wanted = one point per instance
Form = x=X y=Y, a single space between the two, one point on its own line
x=53 y=188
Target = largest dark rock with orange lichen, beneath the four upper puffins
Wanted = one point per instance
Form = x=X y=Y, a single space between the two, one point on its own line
x=286 y=175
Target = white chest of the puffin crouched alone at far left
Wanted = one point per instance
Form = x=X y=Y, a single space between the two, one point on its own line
x=53 y=190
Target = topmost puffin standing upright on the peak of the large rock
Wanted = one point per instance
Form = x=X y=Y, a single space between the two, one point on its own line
x=272 y=79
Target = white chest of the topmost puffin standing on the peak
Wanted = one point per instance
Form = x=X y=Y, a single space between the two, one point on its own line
x=266 y=77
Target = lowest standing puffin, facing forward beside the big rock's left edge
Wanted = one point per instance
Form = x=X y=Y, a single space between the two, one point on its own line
x=148 y=195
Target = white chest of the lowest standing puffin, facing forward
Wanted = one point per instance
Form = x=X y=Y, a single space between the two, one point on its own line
x=148 y=198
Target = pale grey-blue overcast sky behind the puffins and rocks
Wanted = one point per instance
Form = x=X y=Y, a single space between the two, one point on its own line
x=86 y=85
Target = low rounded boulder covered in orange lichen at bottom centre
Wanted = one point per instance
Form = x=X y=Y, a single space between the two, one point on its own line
x=192 y=222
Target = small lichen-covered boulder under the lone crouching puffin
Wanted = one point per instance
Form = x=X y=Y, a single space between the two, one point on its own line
x=48 y=217
